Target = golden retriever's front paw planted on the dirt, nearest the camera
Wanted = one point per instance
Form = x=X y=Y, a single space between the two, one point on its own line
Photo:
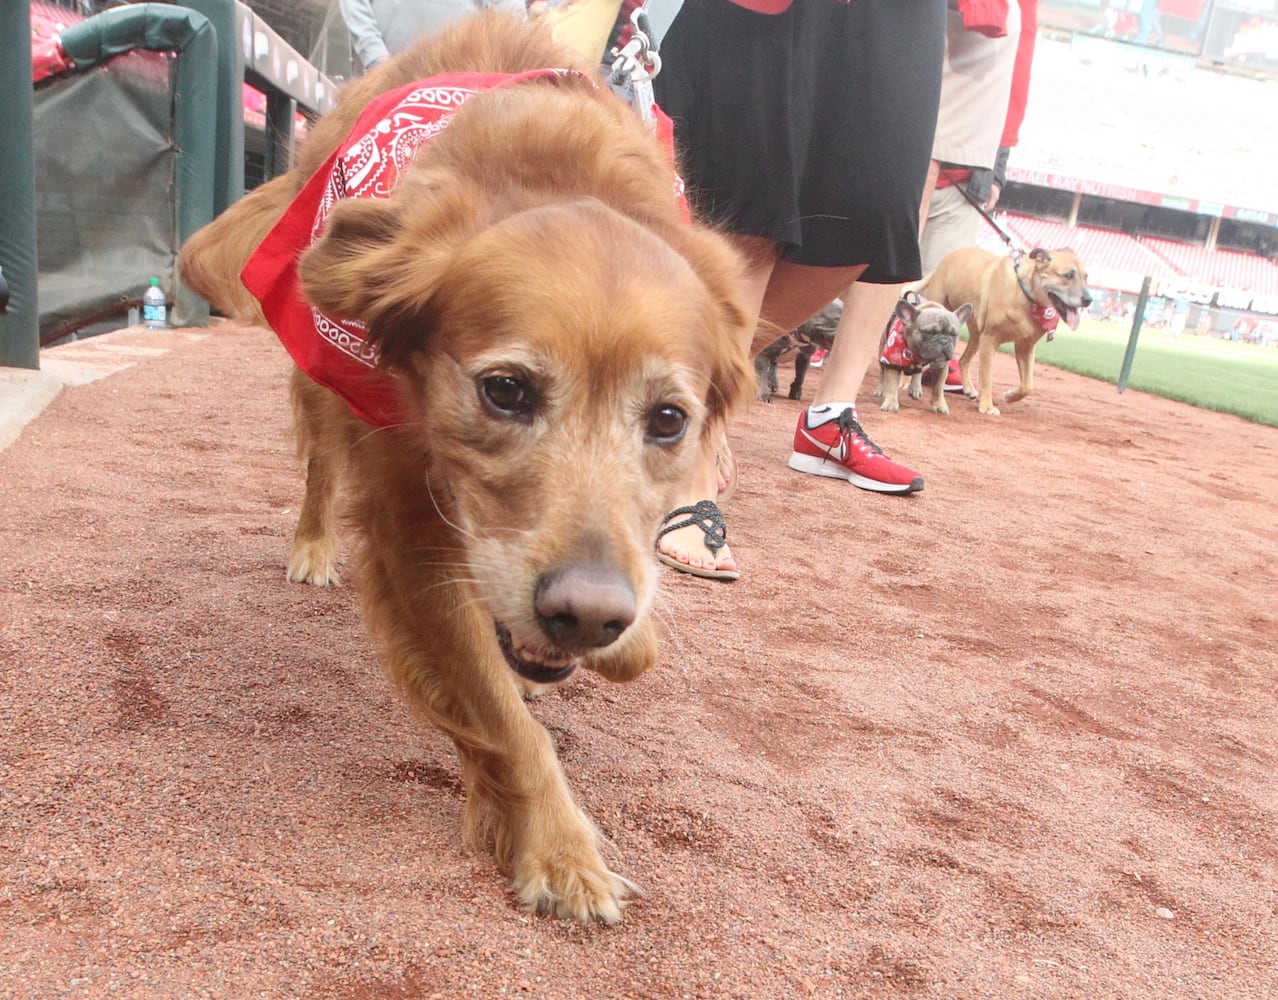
x=567 y=878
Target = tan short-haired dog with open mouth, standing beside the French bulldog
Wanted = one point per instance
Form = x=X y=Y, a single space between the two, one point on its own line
x=1015 y=301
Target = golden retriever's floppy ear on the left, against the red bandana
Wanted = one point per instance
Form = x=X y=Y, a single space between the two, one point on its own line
x=380 y=262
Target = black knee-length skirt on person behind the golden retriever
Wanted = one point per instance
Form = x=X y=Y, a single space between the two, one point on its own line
x=812 y=129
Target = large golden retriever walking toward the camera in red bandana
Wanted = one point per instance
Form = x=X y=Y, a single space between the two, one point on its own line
x=560 y=340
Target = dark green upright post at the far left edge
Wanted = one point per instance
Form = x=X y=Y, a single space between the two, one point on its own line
x=20 y=324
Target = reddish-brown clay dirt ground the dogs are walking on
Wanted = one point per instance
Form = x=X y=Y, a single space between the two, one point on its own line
x=1013 y=737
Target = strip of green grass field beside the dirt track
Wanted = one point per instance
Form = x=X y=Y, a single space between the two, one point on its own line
x=1220 y=375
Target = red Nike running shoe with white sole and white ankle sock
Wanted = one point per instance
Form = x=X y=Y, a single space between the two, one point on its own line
x=838 y=447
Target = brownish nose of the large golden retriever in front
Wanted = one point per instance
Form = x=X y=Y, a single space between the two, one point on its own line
x=585 y=605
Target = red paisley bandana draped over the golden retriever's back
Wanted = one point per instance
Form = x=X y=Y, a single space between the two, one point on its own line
x=369 y=164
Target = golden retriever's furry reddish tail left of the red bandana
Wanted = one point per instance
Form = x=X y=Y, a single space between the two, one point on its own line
x=213 y=259
